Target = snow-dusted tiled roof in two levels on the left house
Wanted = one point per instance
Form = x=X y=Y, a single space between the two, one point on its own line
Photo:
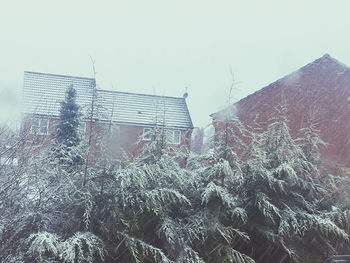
x=42 y=94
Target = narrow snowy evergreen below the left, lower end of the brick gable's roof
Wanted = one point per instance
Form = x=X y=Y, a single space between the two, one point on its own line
x=221 y=215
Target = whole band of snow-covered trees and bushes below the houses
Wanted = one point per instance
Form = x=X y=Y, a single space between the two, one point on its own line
x=256 y=196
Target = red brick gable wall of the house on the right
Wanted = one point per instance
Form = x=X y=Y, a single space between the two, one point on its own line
x=321 y=88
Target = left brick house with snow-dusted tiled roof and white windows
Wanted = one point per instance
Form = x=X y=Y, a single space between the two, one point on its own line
x=129 y=116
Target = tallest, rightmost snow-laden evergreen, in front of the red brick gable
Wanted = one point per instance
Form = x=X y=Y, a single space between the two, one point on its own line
x=282 y=197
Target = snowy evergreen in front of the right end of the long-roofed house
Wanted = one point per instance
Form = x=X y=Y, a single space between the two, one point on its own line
x=144 y=213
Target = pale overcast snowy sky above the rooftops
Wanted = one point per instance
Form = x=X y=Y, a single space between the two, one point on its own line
x=161 y=47
